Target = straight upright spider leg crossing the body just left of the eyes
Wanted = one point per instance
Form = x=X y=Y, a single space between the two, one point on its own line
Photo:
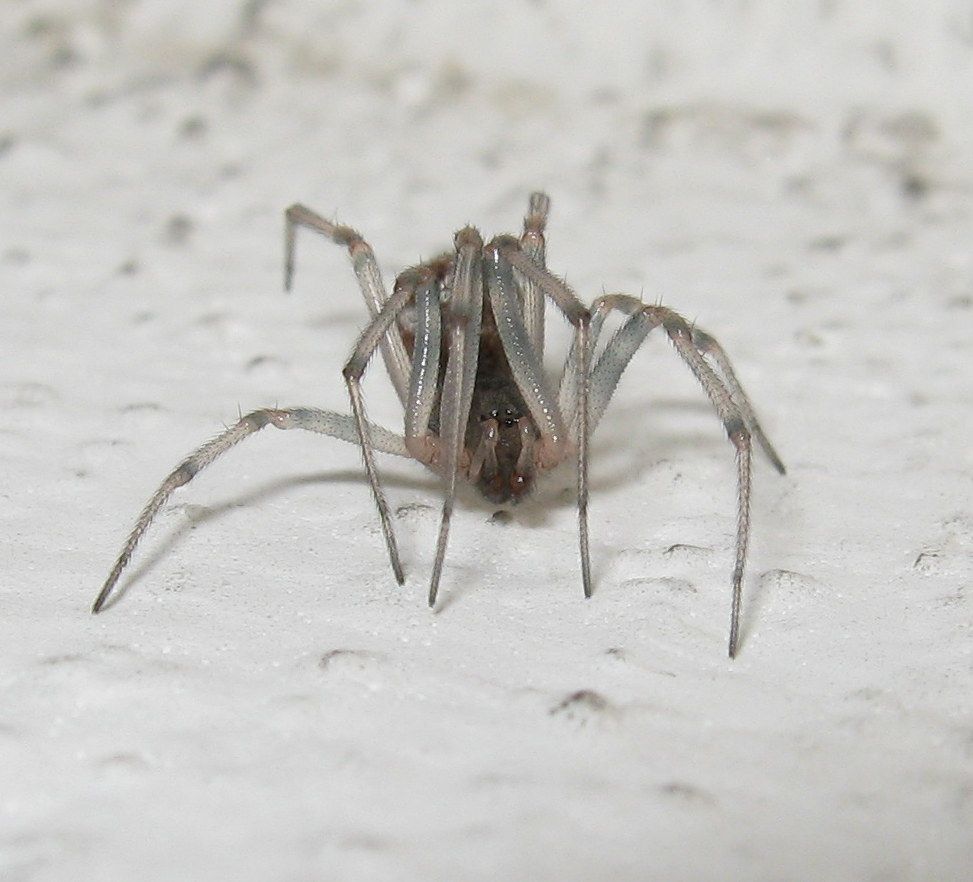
x=464 y=318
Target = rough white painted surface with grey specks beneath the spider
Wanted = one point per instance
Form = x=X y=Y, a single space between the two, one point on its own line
x=263 y=702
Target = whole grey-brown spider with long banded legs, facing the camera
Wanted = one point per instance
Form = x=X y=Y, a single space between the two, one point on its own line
x=462 y=337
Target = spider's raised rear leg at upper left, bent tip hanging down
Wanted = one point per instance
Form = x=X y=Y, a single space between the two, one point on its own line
x=369 y=280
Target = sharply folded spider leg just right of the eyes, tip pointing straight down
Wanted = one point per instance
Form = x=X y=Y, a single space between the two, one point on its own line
x=505 y=258
